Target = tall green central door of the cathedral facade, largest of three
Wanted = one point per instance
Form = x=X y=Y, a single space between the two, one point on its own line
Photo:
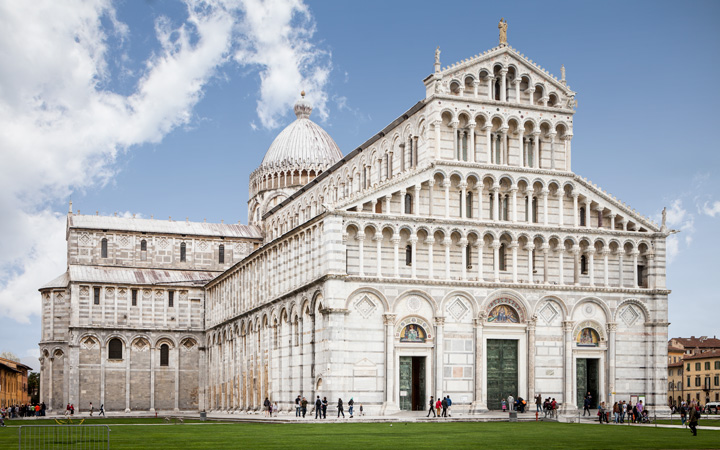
x=502 y=371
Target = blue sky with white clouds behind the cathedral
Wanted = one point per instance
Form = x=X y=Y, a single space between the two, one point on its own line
x=162 y=109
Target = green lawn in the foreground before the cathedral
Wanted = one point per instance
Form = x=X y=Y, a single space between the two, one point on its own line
x=149 y=434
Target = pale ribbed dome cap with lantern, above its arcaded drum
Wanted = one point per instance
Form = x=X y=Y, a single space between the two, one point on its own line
x=302 y=144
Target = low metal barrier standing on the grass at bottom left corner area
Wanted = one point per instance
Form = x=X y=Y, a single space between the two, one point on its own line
x=61 y=437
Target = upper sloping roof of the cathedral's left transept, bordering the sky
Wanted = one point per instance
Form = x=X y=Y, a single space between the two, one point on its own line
x=163 y=226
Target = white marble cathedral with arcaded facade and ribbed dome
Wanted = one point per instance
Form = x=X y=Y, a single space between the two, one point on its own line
x=454 y=253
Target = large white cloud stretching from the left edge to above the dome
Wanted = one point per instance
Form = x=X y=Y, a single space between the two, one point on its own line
x=63 y=126
